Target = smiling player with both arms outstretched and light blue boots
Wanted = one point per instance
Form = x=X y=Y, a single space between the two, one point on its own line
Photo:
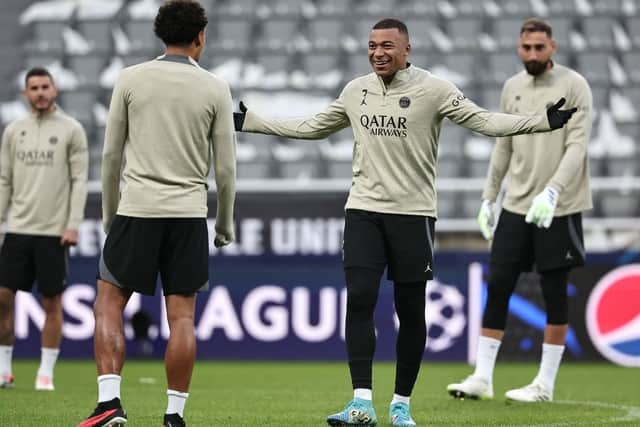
x=396 y=113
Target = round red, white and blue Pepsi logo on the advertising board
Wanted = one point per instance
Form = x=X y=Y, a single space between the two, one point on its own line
x=613 y=315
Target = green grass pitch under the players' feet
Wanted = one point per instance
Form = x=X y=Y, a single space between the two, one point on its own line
x=303 y=394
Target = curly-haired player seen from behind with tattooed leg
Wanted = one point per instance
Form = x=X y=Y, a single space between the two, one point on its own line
x=168 y=120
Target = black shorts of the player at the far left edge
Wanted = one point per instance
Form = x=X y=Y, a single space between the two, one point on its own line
x=25 y=258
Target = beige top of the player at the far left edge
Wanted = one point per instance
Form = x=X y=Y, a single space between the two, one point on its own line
x=43 y=174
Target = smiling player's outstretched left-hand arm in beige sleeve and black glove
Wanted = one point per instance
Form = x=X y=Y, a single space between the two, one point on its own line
x=319 y=126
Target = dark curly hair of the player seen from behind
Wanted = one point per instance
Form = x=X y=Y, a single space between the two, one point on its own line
x=178 y=22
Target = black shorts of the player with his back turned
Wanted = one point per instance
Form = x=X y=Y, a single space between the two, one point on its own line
x=136 y=249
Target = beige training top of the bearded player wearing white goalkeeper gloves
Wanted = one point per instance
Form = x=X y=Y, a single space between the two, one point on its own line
x=557 y=159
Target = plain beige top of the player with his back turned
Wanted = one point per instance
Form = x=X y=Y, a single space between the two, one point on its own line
x=168 y=118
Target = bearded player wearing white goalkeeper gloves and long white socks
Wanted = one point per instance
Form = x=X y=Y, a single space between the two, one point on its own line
x=541 y=222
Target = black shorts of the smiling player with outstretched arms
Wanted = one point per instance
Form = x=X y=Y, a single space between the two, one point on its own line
x=403 y=243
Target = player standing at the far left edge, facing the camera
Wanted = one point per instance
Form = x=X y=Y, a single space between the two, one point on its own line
x=43 y=184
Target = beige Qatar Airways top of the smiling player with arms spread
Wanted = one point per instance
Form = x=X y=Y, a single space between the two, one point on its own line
x=396 y=130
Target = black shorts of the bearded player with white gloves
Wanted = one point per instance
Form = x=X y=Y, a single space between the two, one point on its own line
x=559 y=246
